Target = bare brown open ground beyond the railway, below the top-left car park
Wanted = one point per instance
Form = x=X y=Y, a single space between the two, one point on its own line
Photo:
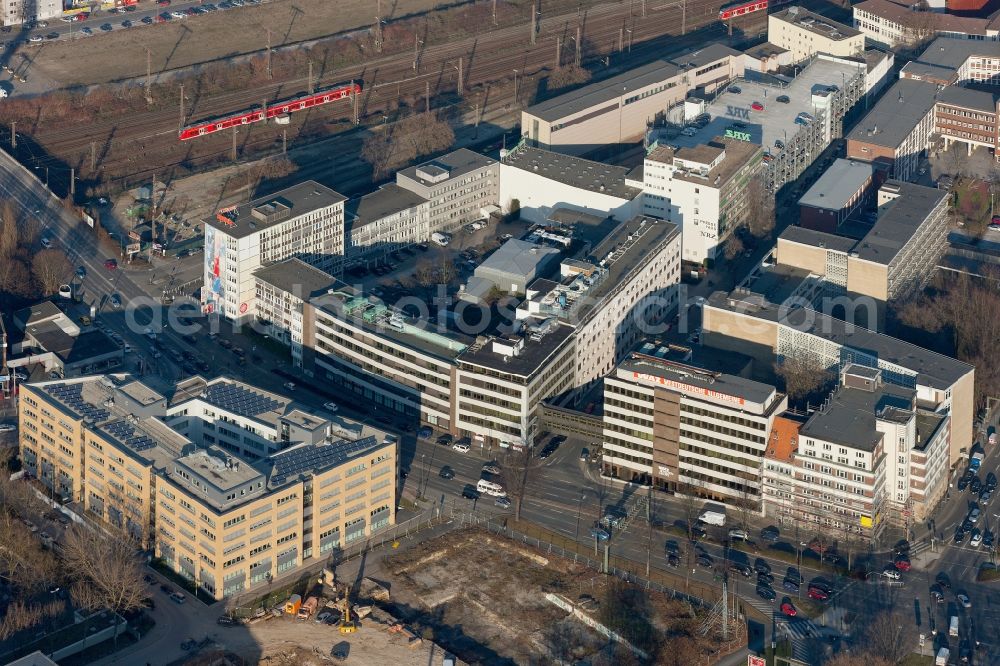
x=122 y=54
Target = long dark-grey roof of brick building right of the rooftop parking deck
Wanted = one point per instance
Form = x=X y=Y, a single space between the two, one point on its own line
x=895 y=116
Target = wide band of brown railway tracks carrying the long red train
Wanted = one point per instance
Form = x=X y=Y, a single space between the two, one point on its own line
x=489 y=58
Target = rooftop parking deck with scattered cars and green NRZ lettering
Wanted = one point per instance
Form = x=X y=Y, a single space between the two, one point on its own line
x=777 y=120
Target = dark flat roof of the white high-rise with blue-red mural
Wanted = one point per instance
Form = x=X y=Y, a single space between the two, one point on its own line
x=265 y=212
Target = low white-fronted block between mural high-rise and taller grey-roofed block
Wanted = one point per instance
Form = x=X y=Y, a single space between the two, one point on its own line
x=384 y=221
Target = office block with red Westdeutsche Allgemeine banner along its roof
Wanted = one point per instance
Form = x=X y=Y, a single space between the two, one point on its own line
x=683 y=428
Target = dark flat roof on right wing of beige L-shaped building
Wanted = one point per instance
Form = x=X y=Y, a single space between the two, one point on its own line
x=899 y=221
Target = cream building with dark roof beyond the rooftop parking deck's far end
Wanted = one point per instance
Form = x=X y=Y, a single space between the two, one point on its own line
x=805 y=34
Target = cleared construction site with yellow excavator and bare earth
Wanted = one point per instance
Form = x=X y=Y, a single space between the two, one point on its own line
x=477 y=597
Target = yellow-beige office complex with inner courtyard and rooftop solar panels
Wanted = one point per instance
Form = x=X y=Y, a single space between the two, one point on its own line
x=227 y=523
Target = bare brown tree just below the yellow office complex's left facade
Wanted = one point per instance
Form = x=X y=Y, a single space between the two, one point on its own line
x=106 y=569
